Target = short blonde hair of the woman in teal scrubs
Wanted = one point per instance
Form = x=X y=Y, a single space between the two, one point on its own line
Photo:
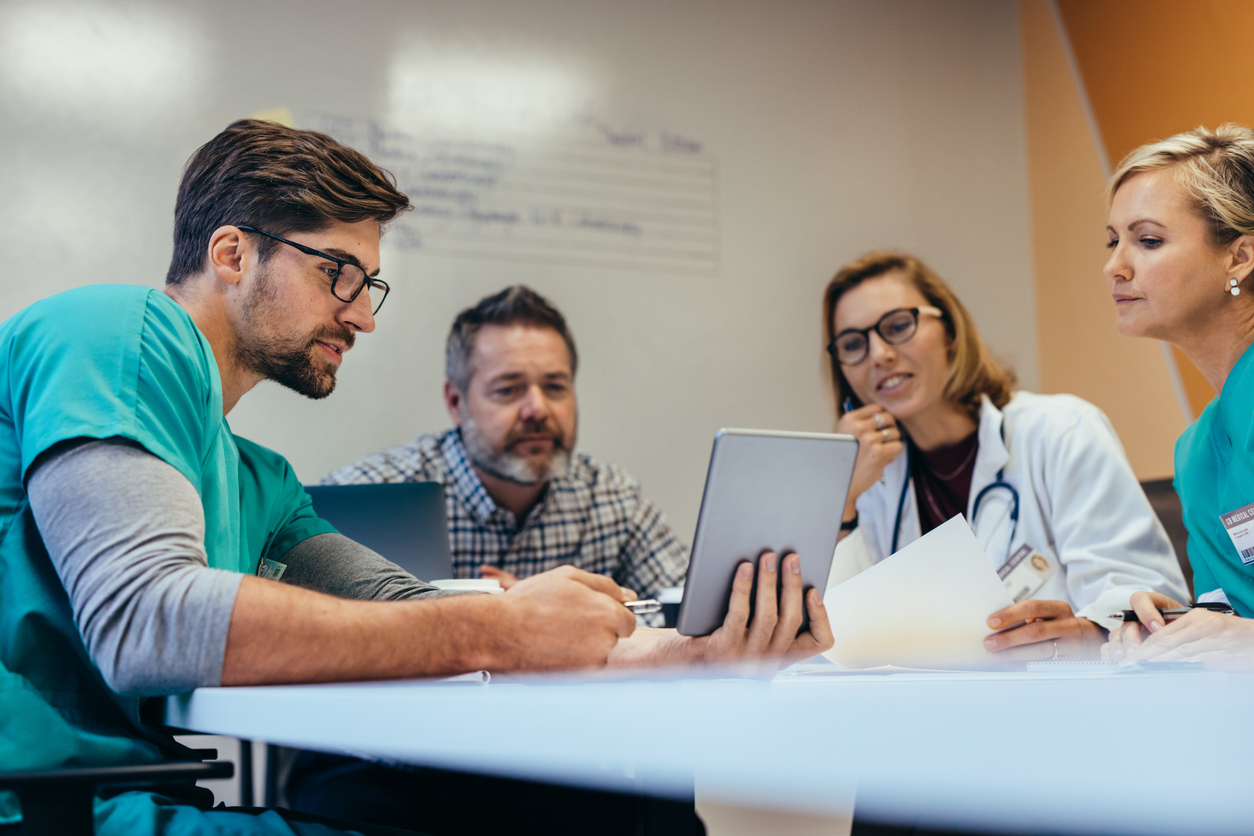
x=1216 y=170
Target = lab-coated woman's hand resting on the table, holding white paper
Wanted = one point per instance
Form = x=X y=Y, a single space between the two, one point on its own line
x=1051 y=631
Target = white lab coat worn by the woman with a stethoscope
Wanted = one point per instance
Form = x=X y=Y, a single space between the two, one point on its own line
x=1080 y=504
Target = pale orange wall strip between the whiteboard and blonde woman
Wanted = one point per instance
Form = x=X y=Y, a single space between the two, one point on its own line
x=1080 y=350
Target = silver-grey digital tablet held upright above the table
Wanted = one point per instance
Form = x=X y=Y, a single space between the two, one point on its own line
x=766 y=492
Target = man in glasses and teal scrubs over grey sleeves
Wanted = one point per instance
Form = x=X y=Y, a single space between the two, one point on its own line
x=141 y=541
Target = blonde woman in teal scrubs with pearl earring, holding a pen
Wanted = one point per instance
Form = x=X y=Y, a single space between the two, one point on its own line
x=1182 y=240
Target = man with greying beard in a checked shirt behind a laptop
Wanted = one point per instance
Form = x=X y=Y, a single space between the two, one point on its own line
x=520 y=501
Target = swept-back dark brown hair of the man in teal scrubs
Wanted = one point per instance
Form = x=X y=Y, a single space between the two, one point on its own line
x=275 y=179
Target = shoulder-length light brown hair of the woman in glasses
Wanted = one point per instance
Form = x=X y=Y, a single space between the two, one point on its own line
x=972 y=369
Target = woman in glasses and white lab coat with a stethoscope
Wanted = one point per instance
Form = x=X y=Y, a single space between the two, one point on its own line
x=1041 y=478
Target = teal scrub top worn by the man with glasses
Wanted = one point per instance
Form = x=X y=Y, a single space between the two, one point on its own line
x=100 y=363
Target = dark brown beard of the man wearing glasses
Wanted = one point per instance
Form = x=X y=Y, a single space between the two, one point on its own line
x=293 y=363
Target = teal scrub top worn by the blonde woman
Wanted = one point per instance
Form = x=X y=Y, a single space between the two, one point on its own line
x=1214 y=463
